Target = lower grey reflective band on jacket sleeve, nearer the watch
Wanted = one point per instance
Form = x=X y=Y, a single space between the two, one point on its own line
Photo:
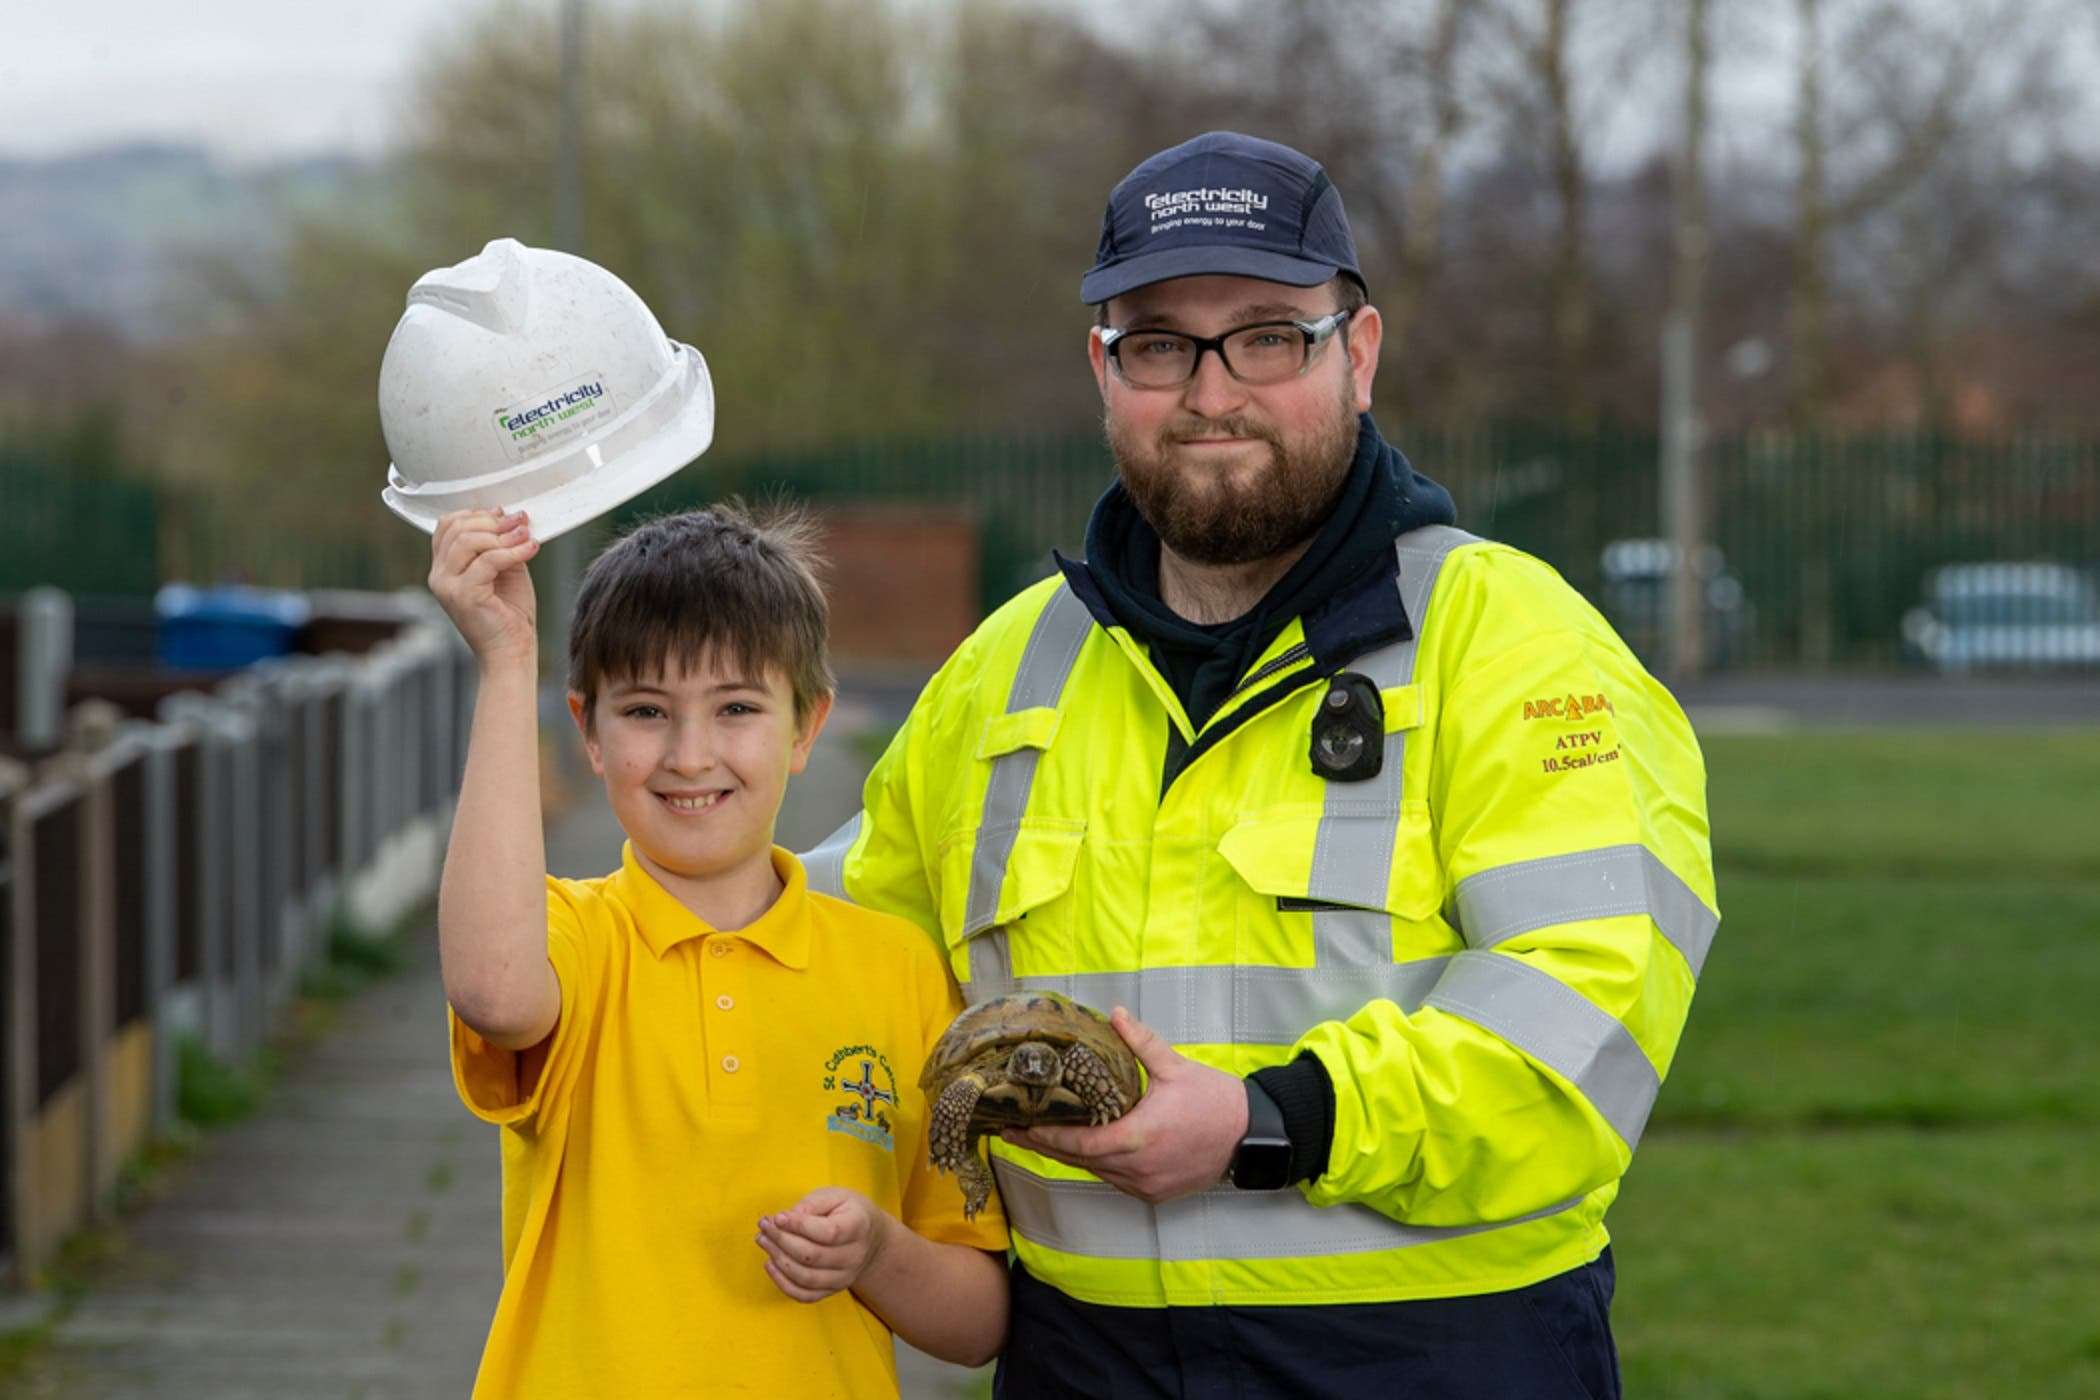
x=1559 y=1027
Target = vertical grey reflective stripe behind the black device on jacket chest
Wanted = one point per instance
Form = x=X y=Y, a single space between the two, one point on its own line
x=1353 y=849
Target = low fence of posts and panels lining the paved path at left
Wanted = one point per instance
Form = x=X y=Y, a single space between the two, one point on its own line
x=175 y=885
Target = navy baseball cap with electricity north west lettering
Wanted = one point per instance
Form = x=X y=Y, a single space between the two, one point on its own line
x=1223 y=205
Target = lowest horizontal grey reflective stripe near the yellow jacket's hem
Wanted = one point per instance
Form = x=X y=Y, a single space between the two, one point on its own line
x=1091 y=1218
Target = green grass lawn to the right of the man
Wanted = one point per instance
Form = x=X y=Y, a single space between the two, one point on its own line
x=1876 y=1164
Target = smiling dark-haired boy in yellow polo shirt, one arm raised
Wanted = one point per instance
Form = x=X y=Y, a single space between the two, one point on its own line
x=679 y=1048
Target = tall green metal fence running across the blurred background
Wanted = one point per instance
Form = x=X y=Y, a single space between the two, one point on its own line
x=1824 y=549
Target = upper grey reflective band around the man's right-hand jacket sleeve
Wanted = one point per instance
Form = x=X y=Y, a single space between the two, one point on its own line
x=1587 y=885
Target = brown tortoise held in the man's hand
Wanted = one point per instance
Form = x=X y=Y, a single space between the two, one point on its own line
x=1013 y=1063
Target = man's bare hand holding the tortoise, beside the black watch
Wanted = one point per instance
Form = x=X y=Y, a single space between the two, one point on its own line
x=1179 y=1139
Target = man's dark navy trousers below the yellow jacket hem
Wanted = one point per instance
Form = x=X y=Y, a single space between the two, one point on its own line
x=1547 y=1342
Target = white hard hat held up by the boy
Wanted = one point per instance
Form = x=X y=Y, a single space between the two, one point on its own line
x=534 y=381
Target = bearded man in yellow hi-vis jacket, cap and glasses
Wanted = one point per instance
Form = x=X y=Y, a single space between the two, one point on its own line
x=1389 y=847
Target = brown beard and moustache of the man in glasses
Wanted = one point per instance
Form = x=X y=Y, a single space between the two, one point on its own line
x=1236 y=515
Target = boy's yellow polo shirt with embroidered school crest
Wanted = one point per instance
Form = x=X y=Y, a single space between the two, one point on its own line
x=696 y=1082
